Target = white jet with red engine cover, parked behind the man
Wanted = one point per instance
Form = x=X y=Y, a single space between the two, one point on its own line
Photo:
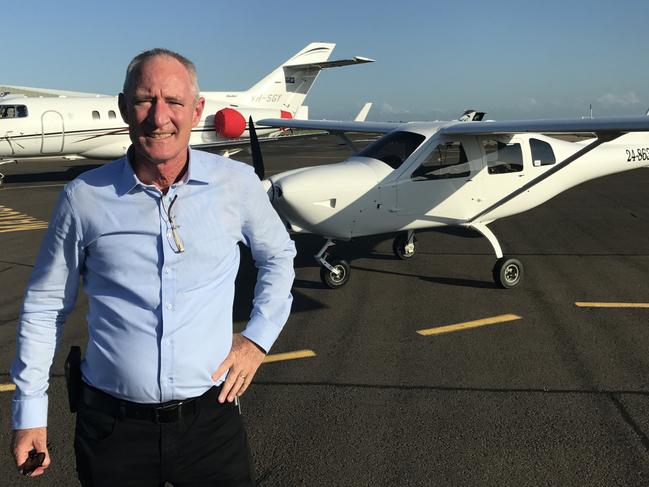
x=89 y=125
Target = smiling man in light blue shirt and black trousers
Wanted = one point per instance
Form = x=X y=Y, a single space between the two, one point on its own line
x=154 y=236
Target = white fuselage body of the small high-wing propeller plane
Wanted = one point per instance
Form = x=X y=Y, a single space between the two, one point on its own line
x=365 y=196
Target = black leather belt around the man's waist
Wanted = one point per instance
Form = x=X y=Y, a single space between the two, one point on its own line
x=166 y=412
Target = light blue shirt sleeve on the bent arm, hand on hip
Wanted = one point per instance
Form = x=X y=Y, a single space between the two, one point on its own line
x=273 y=252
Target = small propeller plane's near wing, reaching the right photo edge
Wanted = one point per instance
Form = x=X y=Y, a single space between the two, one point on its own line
x=604 y=125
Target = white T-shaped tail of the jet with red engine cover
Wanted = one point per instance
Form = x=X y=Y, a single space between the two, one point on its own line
x=288 y=85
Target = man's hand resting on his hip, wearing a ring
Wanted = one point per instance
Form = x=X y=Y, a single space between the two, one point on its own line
x=244 y=359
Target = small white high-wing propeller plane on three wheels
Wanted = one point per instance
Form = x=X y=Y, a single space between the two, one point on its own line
x=465 y=173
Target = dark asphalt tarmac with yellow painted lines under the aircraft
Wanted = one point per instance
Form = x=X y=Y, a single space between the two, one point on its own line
x=556 y=395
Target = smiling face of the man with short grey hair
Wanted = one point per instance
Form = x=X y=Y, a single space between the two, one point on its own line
x=160 y=109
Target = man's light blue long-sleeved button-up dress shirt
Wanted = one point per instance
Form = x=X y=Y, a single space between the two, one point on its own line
x=159 y=320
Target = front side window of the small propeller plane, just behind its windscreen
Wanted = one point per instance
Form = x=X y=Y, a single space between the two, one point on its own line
x=447 y=160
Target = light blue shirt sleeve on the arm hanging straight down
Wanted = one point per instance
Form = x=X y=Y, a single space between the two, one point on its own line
x=49 y=298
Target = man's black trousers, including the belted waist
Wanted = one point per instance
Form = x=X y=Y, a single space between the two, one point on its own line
x=207 y=448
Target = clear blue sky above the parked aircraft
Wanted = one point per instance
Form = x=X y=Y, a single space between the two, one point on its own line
x=512 y=59
